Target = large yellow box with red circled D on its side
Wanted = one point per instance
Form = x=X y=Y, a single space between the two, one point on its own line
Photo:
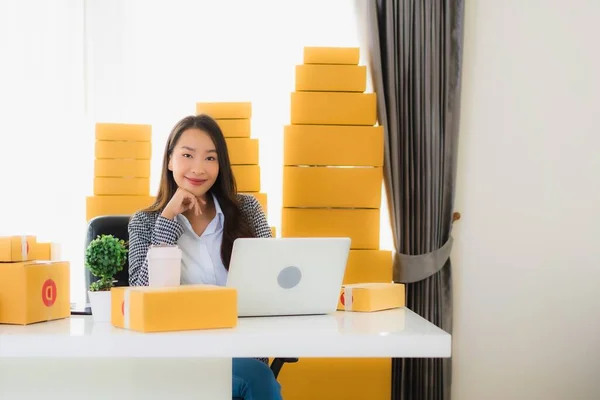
x=34 y=291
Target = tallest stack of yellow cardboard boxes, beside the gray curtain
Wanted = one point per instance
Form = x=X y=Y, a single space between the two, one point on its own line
x=332 y=183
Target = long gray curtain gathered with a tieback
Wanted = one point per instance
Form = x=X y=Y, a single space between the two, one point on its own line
x=415 y=57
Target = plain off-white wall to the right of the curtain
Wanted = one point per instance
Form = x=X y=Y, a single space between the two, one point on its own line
x=526 y=257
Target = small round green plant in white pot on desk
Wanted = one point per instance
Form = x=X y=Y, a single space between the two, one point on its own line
x=104 y=257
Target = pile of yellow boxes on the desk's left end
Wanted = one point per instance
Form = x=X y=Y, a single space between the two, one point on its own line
x=33 y=286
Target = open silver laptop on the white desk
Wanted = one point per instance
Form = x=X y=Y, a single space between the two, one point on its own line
x=287 y=276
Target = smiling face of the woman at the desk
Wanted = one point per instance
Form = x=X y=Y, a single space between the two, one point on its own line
x=194 y=162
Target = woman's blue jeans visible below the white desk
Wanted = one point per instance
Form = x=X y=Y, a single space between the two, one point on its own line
x=254 y=380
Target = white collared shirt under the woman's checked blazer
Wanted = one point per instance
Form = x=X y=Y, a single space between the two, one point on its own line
x=201 y=255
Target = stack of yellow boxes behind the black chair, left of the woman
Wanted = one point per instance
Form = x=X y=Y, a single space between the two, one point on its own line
x=121 y=170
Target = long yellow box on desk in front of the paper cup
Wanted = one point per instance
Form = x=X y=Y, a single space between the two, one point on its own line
x=179 y=308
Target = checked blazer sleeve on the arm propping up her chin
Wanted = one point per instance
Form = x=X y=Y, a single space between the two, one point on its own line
x=145 y=231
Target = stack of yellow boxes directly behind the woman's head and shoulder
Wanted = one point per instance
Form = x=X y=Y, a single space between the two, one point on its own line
x=234 y=119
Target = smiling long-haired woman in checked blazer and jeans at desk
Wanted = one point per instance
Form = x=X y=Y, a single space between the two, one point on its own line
x=198 y=209
